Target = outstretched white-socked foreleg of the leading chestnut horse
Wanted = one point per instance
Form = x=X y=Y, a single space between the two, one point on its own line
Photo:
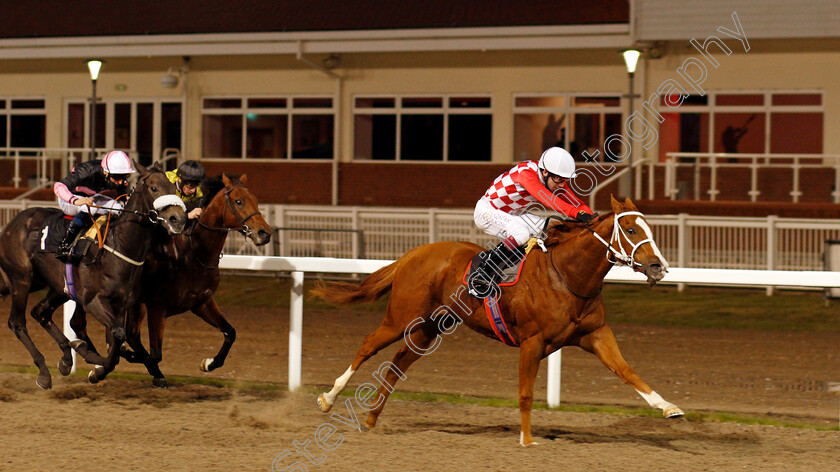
x=601 y=342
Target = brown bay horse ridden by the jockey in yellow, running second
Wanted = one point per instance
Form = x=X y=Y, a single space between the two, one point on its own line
x=182 y=273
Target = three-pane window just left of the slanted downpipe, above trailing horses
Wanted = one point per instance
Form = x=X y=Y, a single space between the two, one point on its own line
x=268 y=127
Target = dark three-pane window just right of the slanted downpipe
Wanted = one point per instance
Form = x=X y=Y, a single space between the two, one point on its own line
x=423 y=128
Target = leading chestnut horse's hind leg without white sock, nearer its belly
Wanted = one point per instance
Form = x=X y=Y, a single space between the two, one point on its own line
x=416 y=345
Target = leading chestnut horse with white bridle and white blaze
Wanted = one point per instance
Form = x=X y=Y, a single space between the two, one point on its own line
x=557 y=302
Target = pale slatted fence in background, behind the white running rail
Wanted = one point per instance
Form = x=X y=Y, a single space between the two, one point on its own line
x=769 y=243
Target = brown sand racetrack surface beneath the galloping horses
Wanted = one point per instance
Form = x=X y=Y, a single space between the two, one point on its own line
x=125 y=424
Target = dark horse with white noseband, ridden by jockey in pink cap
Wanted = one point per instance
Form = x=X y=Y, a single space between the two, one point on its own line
x=105 y=286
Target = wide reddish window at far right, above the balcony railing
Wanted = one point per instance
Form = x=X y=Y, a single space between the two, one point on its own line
x=742 y=123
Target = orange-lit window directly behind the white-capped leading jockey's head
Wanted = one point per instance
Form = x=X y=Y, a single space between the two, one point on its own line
x=575 y=122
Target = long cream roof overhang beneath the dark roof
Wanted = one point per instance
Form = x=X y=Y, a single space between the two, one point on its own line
x=372 y=41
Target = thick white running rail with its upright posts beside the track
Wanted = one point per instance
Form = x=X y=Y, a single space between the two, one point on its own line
x=298 y=266
